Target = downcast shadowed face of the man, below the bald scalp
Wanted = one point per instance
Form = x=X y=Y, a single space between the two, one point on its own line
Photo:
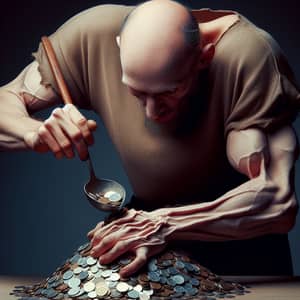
x=163 y=101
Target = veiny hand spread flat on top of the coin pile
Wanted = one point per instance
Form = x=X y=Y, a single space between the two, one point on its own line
x=137 y=232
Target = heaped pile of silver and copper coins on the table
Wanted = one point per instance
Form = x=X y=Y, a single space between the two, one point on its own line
x=170 y=275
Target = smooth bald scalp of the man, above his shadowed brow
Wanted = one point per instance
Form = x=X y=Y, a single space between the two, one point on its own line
x=157 y=38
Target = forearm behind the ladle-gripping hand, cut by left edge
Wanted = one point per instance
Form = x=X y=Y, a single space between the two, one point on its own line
x=15 y=121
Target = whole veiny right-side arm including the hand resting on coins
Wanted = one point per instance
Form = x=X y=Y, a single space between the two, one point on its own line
x=265 y=204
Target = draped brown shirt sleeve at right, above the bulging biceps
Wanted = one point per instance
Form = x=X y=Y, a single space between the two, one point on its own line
x=265 y=94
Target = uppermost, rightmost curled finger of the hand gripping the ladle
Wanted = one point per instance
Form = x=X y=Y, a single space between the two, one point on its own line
x=81 y=122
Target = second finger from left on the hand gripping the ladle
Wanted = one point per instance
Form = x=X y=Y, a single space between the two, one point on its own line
x=60 y=137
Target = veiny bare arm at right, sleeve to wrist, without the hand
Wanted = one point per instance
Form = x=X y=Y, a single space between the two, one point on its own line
x=265 y=204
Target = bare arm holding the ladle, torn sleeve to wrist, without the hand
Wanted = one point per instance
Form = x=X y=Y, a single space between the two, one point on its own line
x=16 y=105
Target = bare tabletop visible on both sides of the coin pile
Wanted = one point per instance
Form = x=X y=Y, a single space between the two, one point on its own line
x=261 y=287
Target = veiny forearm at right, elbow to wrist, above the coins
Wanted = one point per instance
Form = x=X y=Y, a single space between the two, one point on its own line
x=254 y=208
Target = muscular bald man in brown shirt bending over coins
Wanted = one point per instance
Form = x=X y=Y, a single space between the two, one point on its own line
x=199 y=108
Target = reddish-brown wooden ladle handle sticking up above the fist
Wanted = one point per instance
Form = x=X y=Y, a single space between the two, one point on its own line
x=65 y=94
